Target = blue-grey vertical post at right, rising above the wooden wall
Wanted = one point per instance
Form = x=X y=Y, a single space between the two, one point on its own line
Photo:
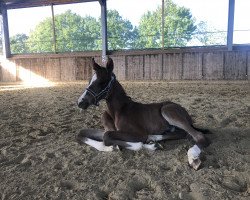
x=230 y=25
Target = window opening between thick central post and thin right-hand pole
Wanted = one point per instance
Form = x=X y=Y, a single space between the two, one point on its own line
x=127 y=21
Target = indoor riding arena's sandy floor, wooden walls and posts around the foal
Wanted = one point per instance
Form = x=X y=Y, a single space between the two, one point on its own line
x=40 y=157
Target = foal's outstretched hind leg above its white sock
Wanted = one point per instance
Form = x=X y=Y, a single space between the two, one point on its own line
x=178 y=116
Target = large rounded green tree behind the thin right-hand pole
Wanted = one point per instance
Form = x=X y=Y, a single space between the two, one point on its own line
x=178 y=30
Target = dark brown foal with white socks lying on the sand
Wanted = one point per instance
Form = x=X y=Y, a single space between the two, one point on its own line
x=134 y=125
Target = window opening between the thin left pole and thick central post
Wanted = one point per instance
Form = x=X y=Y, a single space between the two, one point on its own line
x=78 y=27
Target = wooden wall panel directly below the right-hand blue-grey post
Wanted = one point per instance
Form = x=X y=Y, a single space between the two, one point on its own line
x=235 y=65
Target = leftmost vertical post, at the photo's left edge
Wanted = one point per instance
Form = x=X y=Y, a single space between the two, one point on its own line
x=6 y=37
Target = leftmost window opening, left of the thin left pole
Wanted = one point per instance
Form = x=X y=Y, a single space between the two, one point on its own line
x=30 y=30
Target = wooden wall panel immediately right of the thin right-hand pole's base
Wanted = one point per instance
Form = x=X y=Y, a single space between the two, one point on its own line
x=172 y=66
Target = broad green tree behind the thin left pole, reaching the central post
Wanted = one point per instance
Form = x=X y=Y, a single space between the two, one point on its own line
x=73 y=33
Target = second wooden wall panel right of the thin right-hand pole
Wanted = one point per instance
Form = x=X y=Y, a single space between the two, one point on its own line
x=192 y=66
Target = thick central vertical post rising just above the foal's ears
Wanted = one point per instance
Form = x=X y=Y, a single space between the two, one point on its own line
x=104 y=29
